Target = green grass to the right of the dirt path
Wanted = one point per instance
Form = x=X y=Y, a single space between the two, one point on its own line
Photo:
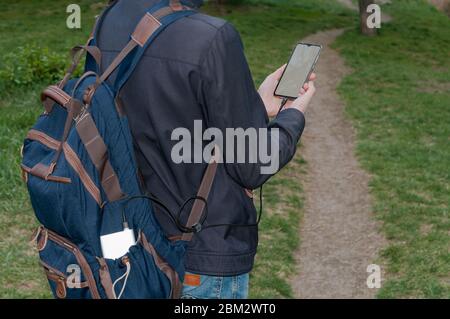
x=398 y=98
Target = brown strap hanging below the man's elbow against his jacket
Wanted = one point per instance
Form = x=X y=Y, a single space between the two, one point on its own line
x=203 y=192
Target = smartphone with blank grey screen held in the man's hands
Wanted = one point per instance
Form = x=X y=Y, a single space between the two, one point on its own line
x=299 y=68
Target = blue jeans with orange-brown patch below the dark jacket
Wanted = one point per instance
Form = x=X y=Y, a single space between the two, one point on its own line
x=212 y=287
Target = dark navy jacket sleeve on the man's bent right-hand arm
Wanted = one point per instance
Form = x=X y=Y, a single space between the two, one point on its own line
x=229 y=97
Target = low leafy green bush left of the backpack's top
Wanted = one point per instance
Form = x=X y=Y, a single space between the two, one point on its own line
x=31 y=64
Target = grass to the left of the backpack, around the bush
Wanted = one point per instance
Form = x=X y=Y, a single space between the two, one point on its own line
x=21 y=23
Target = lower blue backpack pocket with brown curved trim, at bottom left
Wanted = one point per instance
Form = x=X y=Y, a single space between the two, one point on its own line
x=68 y=272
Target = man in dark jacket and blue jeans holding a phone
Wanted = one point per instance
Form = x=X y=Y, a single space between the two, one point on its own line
x=196 y=70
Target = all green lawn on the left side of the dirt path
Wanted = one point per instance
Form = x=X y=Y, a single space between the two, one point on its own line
x=269 y=32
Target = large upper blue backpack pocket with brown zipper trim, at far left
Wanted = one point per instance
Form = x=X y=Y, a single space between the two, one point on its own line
x=62 y=194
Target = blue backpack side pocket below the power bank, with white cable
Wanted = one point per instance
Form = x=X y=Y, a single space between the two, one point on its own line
x=140 y=274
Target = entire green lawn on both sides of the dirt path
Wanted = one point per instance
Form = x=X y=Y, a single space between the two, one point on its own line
x=398 y=98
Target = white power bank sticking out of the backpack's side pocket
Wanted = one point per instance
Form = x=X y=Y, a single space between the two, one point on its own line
x=116 y=245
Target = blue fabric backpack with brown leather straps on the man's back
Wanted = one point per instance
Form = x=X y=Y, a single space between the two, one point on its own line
x=83 y=181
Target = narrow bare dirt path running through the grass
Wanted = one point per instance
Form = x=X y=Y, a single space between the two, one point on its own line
x=339 y=237
